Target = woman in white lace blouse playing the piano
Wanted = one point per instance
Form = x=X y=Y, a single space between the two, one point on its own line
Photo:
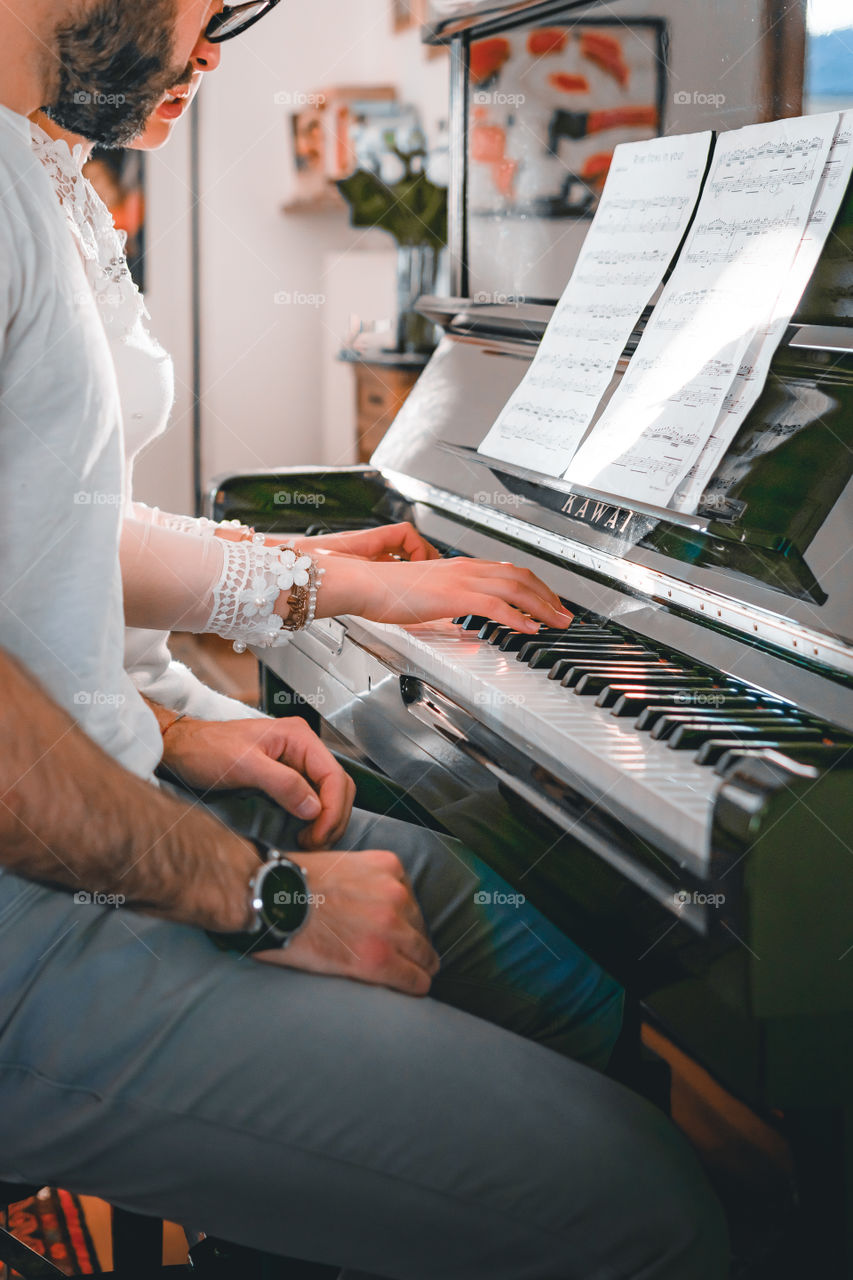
x=191 y=575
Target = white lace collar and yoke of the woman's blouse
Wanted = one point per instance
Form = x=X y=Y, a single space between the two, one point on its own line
x=90 y=222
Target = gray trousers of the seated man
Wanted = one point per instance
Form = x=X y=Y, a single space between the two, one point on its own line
x=450 y=1139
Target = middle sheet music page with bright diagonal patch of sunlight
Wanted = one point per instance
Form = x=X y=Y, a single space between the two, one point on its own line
x=749 y=227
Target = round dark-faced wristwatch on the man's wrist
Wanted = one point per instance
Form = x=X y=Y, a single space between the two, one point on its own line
x=280 y=900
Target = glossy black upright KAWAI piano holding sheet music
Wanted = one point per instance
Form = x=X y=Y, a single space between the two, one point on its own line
x=672 y=780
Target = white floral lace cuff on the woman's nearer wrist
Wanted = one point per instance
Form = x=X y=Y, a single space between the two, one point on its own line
x=252 y=580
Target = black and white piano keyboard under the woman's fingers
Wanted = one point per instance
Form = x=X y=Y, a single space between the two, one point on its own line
x=644 y=732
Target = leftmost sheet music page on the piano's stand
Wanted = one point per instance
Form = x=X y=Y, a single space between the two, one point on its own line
x=645 y=211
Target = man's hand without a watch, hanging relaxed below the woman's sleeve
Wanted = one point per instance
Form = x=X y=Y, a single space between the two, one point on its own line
x=282 y=757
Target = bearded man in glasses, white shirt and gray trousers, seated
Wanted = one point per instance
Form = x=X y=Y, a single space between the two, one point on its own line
x=280 y=1105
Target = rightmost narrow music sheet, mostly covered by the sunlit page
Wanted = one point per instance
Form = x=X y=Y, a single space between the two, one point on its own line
x=752 y=376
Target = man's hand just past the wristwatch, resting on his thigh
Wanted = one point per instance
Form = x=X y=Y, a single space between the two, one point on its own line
x=364 y=925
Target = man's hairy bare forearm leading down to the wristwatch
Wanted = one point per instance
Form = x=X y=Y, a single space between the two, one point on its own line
x=71 y=816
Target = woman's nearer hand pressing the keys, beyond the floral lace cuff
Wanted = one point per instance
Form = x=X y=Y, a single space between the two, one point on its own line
x=421 y=592
